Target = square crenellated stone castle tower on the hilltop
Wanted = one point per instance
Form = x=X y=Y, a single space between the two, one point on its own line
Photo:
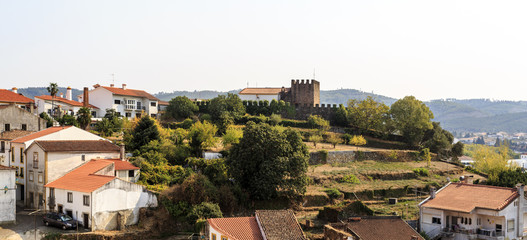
x=305 y=92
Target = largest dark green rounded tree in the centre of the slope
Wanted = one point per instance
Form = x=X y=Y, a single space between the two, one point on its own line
x=269 y=162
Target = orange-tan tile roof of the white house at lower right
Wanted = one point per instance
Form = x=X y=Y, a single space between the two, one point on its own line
x=466 y=197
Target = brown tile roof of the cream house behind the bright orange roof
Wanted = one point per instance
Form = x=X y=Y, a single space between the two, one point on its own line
x=77 y=146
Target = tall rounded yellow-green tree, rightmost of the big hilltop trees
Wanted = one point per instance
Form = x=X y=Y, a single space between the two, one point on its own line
x=411 y=118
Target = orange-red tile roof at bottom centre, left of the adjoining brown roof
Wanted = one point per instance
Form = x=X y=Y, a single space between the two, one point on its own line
x=238 y=228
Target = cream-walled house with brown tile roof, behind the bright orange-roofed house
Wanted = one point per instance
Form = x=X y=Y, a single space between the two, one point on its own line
x=48 y=160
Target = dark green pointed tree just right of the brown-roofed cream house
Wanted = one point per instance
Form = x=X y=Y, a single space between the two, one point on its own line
x=145 y=131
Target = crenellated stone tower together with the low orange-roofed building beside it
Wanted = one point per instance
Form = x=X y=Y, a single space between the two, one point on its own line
x=301 y=93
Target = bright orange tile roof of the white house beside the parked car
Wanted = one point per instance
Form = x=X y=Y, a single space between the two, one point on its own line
x=83 y=178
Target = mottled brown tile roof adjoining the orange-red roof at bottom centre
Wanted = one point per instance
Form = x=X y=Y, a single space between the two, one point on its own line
x=279 y=225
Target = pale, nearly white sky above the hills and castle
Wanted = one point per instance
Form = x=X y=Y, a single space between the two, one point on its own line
x=428 y=49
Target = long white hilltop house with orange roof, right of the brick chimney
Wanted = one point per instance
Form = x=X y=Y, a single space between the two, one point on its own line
x=129 y=103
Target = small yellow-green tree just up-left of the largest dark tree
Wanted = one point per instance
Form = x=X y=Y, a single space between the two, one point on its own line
x=201 y=136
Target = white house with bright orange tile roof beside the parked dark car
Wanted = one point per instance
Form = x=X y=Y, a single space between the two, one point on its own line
x=92 y=195
